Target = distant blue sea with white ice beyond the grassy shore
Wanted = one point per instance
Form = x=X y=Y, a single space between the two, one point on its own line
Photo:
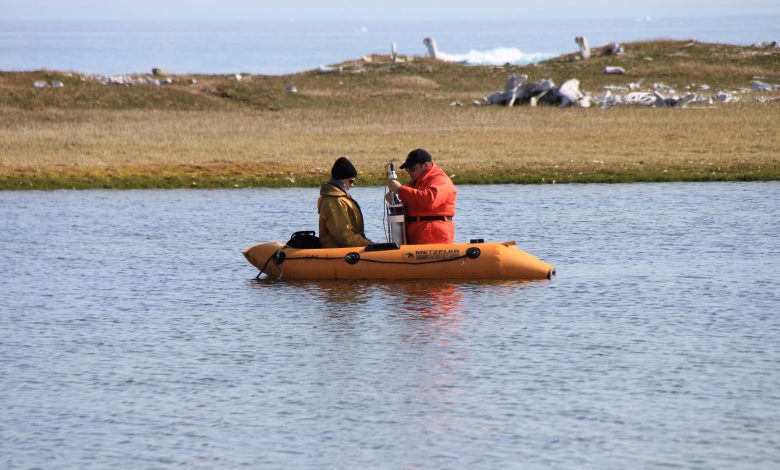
x=116 y=47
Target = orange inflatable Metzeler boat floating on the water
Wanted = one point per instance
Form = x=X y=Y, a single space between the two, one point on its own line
x=386 y=261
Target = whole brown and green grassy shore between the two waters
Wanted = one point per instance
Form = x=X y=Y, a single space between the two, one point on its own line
x=222 y=132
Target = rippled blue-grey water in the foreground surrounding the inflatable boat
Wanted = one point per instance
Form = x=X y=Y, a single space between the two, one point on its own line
x=134 y=335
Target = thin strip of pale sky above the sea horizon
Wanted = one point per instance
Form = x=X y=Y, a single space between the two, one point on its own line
x=412 y=10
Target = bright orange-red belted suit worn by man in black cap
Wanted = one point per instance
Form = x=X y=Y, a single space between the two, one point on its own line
x=432 y=194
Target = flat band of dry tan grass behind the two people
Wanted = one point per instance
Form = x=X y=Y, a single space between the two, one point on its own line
x=475 y=144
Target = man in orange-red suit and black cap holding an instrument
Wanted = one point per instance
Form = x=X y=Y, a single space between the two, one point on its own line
x=429 y=200
